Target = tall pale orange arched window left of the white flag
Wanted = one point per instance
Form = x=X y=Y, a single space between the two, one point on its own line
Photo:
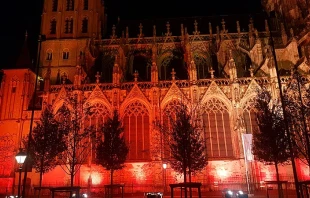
x=217 y=131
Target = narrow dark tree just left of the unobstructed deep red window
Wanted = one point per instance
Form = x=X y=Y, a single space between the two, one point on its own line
x=112 y=150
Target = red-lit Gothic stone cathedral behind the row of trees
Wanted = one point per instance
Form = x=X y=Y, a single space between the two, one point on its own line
x=214 y=65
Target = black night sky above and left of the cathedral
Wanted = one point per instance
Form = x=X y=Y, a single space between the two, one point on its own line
x=21 y=15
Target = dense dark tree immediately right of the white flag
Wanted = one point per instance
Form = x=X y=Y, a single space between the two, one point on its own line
x=270 y=141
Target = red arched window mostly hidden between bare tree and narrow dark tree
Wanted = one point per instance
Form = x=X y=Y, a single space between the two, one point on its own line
x=96 y=119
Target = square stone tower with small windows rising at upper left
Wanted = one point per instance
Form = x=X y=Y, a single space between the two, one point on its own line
x=69 y=26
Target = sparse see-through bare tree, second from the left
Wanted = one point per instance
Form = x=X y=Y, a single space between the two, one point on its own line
x=72 y=116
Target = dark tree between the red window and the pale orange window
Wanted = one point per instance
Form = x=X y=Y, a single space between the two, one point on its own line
x=187 y=147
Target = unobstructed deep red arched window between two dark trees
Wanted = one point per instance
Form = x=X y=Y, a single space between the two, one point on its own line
x=137 y=131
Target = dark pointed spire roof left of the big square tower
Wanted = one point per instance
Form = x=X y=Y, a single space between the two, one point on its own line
x=24 y=60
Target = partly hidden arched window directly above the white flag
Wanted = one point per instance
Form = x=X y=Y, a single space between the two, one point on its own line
x=249 y=116
